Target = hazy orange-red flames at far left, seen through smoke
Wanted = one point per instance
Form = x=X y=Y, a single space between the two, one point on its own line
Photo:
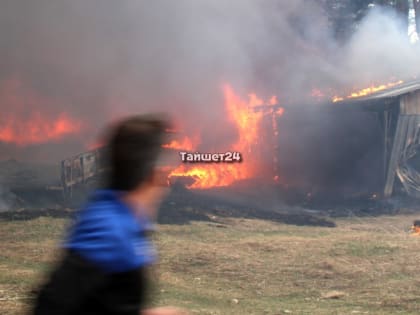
x=37 y=129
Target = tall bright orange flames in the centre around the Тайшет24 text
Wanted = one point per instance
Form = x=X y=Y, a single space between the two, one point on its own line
x=241 y=113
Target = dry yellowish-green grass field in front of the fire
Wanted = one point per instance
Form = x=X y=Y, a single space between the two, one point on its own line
x=241 y=266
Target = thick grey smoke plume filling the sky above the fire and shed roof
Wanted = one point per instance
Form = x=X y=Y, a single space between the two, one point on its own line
x=94 y=61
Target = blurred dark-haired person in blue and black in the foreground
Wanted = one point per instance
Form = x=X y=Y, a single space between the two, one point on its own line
x=108 y=250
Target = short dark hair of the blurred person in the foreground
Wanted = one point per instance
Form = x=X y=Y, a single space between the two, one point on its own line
x=134 y=146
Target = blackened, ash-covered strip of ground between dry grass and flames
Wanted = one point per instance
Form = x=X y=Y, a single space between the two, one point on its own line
x=25 y=193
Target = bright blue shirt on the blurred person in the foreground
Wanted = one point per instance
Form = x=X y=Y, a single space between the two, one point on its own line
x=109 y=234
